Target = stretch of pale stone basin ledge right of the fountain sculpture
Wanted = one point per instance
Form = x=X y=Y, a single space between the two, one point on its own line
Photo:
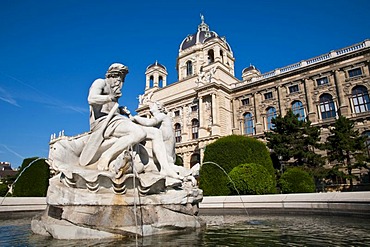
x=338 y=203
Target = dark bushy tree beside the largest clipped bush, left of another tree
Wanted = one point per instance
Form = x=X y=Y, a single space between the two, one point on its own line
x=294 y=141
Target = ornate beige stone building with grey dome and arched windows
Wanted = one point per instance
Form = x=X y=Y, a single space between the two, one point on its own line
x=208 y=101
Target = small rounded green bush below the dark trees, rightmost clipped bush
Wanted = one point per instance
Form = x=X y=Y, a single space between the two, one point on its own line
x=295 y=180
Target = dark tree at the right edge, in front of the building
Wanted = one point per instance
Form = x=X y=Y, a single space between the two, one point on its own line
x=346 y=147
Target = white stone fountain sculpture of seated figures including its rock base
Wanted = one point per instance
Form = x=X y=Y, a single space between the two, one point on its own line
x=118 y=179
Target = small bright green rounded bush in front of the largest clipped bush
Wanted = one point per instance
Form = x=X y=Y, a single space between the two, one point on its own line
x=251 y=179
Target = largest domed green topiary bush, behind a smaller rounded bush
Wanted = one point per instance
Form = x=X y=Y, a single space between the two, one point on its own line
x=229 y=152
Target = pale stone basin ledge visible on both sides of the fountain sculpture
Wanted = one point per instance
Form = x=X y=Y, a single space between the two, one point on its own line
x=350 y=202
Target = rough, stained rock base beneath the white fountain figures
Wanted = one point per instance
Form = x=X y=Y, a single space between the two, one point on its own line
x=74 y=214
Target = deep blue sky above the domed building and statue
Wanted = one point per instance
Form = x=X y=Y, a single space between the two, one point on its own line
x=51 y=51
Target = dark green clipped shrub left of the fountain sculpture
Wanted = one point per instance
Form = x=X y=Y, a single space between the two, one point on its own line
x=34 y=181
